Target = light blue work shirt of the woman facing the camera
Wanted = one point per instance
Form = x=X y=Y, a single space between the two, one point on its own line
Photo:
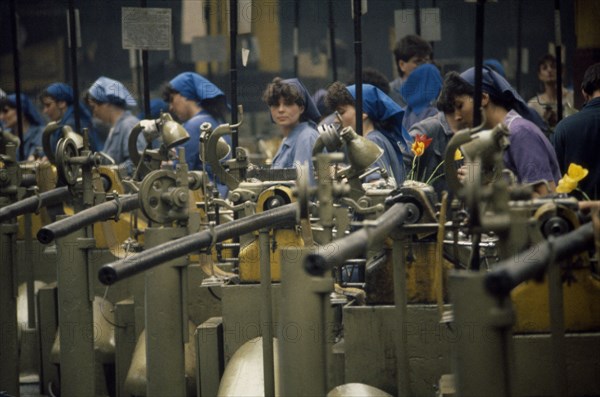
x=296 y=149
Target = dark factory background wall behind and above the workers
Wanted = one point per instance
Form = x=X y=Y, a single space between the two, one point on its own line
x=43 y=31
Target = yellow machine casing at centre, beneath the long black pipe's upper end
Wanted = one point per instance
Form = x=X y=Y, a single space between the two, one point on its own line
x=250 y=255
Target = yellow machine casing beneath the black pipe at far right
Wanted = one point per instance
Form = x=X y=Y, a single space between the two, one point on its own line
x=581 y=299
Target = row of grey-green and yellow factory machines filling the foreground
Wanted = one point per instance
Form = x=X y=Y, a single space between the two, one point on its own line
x=153 y=285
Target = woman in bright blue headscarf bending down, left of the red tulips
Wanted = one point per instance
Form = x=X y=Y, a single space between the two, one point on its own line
x=382 y=123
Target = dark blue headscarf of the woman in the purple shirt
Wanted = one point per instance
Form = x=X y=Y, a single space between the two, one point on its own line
x=496 y=86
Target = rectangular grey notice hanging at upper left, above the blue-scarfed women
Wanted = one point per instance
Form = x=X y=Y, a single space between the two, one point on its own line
x=146 y=28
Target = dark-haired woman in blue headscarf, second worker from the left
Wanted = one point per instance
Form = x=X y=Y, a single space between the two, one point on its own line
x=58 y=101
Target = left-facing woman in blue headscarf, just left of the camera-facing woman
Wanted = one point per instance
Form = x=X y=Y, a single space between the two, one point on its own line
x=195 y=100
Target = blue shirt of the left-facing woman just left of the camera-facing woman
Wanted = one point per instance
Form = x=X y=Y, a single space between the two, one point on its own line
x=192 y=146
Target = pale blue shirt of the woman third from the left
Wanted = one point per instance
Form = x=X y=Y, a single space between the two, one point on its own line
x=117 y=142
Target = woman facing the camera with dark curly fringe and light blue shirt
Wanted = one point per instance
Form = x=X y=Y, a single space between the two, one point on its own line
x=296 y=114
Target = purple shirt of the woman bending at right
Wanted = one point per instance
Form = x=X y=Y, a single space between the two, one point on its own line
x=530 y=155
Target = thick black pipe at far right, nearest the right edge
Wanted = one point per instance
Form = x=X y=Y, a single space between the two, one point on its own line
x=510 y=273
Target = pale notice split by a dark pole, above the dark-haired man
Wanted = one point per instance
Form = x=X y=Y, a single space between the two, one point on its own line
x=405 y=23
